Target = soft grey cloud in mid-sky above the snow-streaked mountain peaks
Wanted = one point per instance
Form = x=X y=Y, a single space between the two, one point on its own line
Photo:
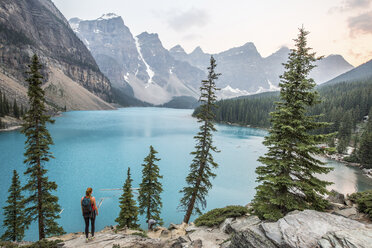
x=181 y=21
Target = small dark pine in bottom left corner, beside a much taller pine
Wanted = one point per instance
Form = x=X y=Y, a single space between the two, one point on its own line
x=14 y=212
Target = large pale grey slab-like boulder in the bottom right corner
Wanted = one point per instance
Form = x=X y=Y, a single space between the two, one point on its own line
x=299 y=229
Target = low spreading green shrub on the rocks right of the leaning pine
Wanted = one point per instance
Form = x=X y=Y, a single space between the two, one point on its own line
x=218 y=215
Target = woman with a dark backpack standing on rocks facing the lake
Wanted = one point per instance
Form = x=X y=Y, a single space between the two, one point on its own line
x=89 y=210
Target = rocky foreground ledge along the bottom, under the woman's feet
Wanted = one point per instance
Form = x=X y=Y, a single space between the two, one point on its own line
x=341 y=226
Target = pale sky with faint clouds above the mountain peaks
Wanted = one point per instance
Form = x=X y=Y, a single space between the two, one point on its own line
x=336 y=26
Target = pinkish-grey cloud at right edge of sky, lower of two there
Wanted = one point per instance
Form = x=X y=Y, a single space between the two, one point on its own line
x=361 y=24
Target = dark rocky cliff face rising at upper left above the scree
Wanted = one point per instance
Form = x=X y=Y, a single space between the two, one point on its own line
x=30 y=27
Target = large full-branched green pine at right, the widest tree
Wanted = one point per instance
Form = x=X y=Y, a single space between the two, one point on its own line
x=287 y=178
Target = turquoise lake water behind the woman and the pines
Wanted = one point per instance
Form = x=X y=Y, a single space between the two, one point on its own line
x=94 y=149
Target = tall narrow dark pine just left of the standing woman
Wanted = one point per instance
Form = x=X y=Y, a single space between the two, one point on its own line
x=42 y=205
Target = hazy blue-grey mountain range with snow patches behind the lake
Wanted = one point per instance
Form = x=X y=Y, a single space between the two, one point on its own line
x=143 y=68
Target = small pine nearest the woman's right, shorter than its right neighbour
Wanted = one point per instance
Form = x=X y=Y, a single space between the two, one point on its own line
x=128 y=215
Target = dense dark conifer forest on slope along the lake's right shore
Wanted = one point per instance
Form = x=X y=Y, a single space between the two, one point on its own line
x=343 y=104
